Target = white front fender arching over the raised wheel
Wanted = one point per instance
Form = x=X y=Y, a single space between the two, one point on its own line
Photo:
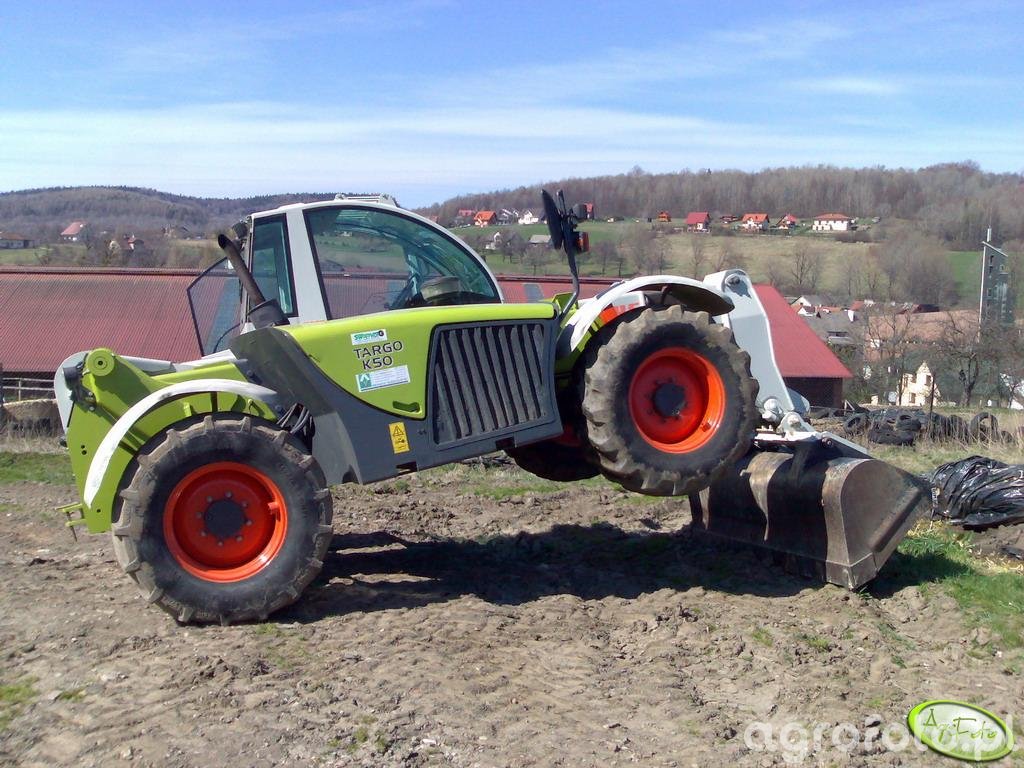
x=694 y=295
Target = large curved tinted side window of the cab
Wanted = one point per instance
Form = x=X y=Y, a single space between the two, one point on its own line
x=373 y=261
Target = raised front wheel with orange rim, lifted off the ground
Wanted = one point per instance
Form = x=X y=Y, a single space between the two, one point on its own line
x=615 y=359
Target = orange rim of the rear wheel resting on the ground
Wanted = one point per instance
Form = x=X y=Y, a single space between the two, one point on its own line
x=226 y=522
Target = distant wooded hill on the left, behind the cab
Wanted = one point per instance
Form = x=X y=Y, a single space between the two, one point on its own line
x=41 y=215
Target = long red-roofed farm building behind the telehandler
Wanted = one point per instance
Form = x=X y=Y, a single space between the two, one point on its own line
x=145 y=314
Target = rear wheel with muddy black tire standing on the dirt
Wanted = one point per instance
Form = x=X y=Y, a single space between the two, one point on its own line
x=247 y=446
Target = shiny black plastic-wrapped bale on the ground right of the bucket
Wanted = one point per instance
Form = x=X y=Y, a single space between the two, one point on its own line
x=979 y=493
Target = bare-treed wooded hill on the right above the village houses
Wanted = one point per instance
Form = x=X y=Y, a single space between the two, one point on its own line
x=955 y=201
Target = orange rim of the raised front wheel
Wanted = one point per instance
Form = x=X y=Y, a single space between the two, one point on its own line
x=677 y=401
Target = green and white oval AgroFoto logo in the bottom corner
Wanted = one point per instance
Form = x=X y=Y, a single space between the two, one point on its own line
x=961 y=731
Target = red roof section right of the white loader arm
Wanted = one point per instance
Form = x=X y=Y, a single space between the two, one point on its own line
x=799 y=353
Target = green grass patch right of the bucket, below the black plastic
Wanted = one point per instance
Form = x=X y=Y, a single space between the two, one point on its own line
x=988 y=596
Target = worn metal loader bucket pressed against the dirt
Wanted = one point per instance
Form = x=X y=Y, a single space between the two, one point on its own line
x=828 y=516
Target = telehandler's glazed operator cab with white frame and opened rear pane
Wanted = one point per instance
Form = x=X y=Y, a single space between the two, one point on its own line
x=338 y=260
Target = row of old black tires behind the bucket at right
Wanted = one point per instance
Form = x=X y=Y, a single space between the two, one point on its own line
x=900 y=426
